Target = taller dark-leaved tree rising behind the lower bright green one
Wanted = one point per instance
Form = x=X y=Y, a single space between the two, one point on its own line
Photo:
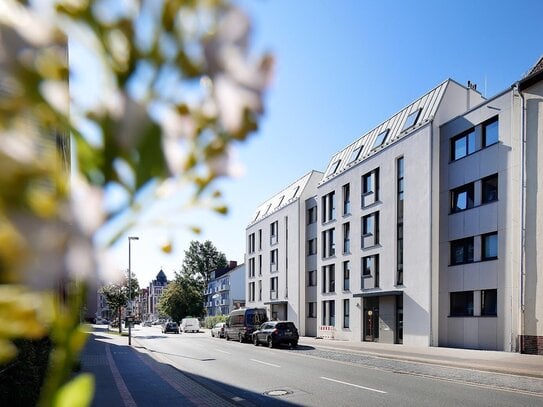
x=201 y=259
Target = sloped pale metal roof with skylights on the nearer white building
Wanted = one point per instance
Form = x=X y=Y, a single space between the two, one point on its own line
x=420 y=112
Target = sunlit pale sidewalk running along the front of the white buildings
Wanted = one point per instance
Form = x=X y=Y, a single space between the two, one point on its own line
x=492 y=361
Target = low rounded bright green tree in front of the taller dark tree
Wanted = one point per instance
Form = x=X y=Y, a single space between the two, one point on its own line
x=183 y=297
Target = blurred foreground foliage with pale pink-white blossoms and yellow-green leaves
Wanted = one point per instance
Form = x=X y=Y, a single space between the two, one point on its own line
x=170 y=91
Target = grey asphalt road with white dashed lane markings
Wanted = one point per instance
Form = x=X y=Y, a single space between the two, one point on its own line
x=249 y=375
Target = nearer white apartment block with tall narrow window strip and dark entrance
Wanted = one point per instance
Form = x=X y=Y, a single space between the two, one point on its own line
x=378 y=219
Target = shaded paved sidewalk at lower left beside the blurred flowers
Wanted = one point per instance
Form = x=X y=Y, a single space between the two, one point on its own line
x=129 y=376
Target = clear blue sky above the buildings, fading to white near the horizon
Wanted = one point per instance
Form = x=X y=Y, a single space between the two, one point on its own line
x=343 y=67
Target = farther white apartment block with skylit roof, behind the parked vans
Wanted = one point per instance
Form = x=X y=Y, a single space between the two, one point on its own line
x=275 y=254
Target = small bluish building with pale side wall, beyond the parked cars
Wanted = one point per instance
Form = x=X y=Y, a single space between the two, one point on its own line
x=225 y=290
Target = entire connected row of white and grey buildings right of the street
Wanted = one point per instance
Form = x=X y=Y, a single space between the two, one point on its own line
x=424 y=231
